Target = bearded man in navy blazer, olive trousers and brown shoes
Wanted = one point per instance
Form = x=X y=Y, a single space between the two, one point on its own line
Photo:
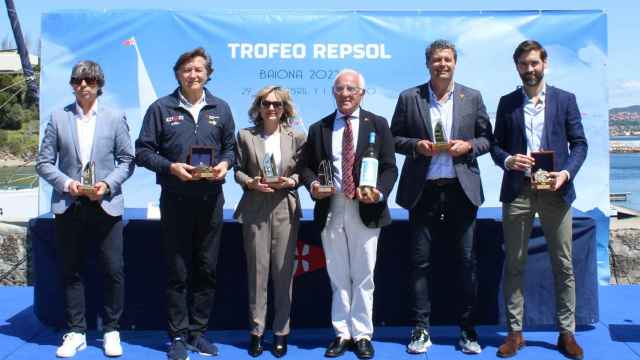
x=530 y=119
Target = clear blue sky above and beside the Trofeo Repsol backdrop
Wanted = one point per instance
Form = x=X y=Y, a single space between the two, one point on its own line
x=624 y=46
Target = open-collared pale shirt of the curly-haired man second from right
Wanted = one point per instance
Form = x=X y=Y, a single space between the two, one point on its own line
x=441 y=165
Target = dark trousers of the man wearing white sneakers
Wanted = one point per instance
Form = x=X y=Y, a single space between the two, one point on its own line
x=81 y=231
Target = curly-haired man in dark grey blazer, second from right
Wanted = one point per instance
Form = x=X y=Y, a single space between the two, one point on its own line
x=441 y=127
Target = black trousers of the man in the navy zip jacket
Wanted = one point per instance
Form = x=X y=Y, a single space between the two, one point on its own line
x=191 y=228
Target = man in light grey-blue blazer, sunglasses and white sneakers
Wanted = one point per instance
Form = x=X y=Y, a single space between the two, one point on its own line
x=87 y=134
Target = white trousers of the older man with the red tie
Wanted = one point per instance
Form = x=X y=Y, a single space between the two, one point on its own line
x=350 y=249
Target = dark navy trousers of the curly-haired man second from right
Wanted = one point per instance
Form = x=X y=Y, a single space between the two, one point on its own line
x=443 y=213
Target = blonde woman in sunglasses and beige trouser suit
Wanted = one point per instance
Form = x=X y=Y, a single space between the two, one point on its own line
x=269 y=211
